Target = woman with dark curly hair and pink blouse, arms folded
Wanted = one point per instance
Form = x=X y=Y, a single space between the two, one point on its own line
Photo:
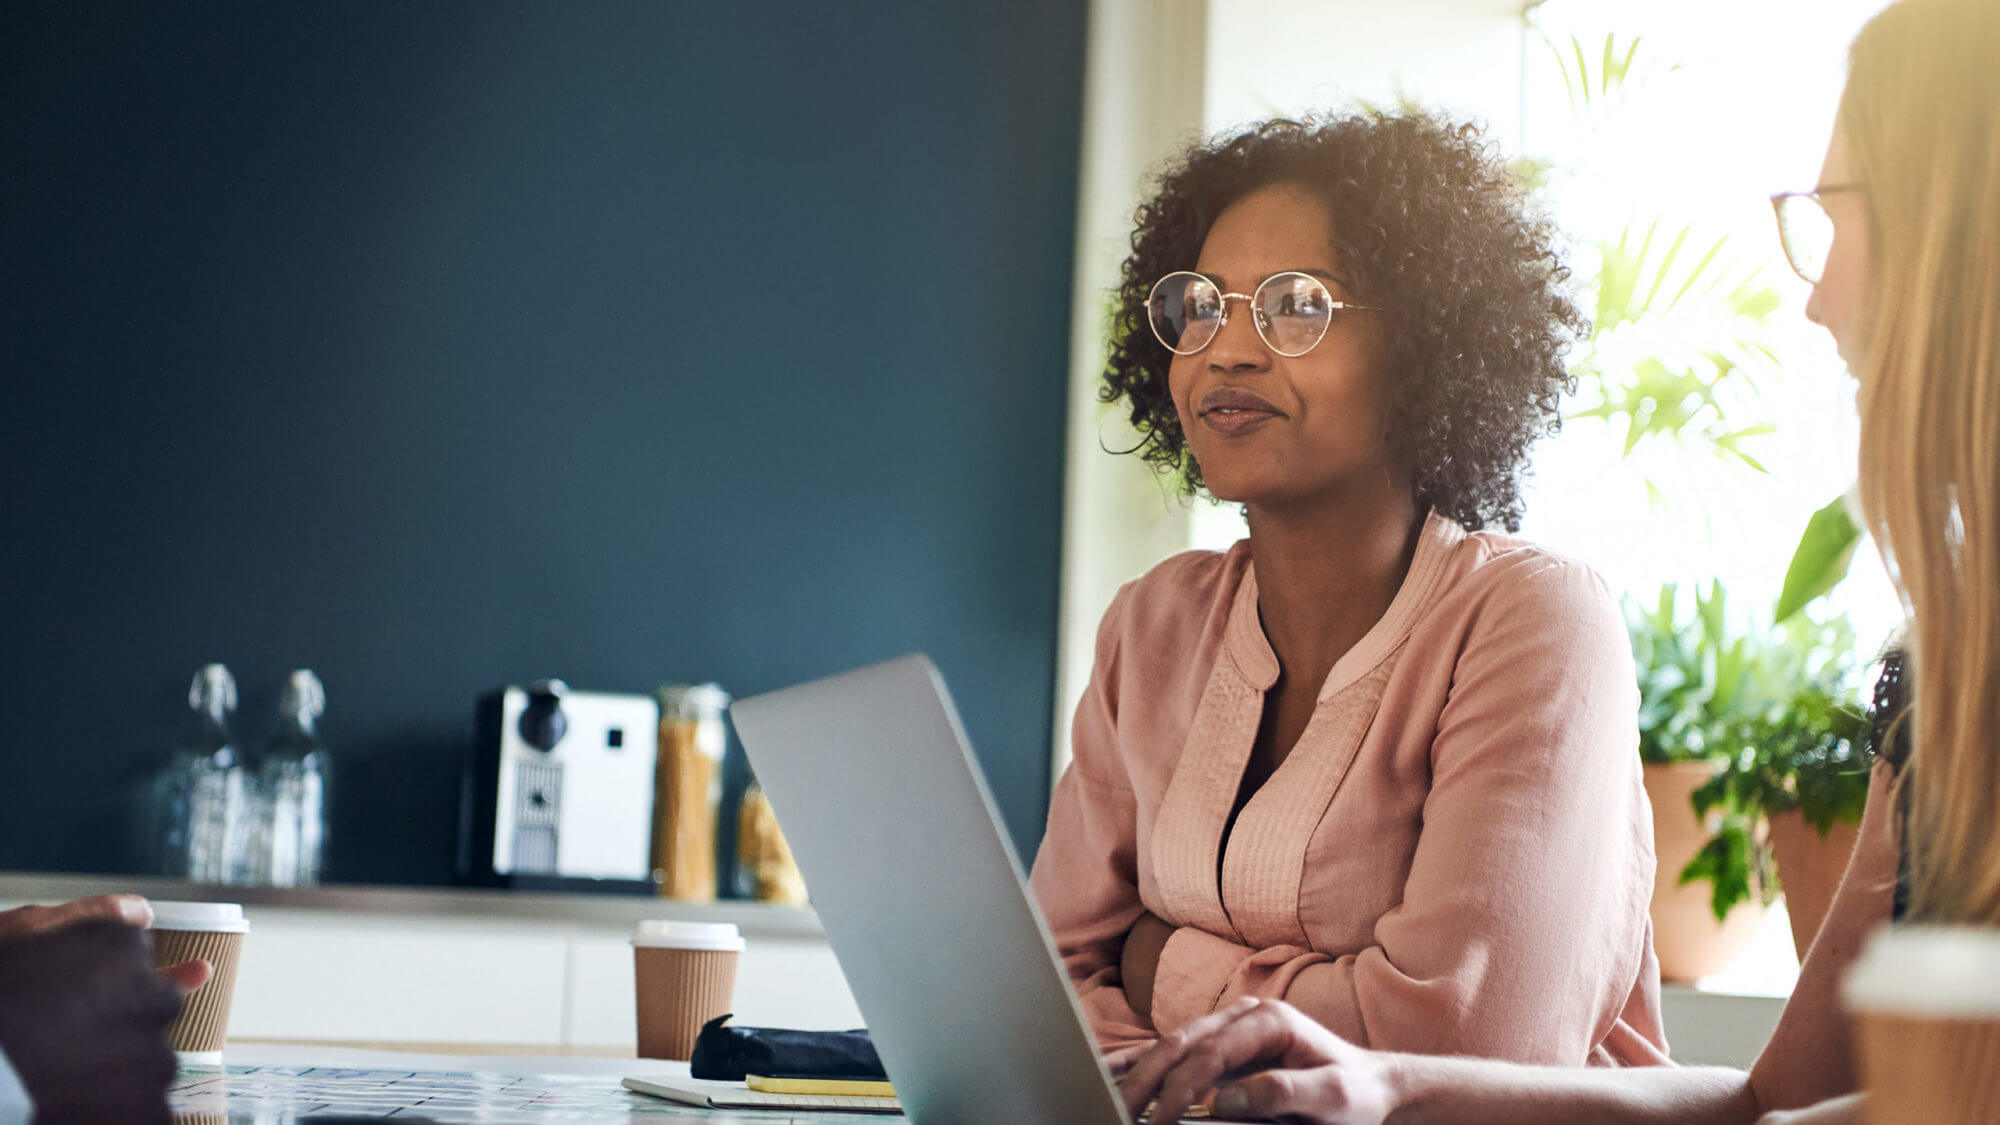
x=1379 y=760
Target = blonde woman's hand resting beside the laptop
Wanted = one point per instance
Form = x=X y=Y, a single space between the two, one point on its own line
x=1263 y=1060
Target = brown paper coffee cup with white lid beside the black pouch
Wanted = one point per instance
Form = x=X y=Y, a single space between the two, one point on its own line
x=687 y=976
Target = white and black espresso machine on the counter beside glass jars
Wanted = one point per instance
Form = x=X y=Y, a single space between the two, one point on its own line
x=559 y=792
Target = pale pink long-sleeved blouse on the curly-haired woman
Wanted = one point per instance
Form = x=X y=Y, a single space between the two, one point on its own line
x=1457 y=856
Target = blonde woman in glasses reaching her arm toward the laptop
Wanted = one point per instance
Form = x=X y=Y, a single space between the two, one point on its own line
x=1907 y=279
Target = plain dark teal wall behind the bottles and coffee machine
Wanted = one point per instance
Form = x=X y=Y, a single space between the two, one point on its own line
x=441 y=345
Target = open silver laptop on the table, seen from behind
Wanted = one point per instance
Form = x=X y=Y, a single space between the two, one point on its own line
x=923 y=900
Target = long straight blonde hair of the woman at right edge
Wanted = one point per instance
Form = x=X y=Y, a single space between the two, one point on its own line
x=1923 y=123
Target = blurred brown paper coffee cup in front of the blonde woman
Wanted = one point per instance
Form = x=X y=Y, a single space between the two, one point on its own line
x=1927 y=1016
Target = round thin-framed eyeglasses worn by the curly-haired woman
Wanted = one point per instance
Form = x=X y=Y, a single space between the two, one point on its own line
x=1291 y=311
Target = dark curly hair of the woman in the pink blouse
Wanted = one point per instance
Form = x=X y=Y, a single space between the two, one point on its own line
x=1433 y=227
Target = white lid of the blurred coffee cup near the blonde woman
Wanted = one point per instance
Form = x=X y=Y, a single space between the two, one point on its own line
x=1933 y=972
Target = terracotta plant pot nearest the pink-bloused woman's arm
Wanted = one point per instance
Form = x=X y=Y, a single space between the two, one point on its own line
x=1685 y=930
